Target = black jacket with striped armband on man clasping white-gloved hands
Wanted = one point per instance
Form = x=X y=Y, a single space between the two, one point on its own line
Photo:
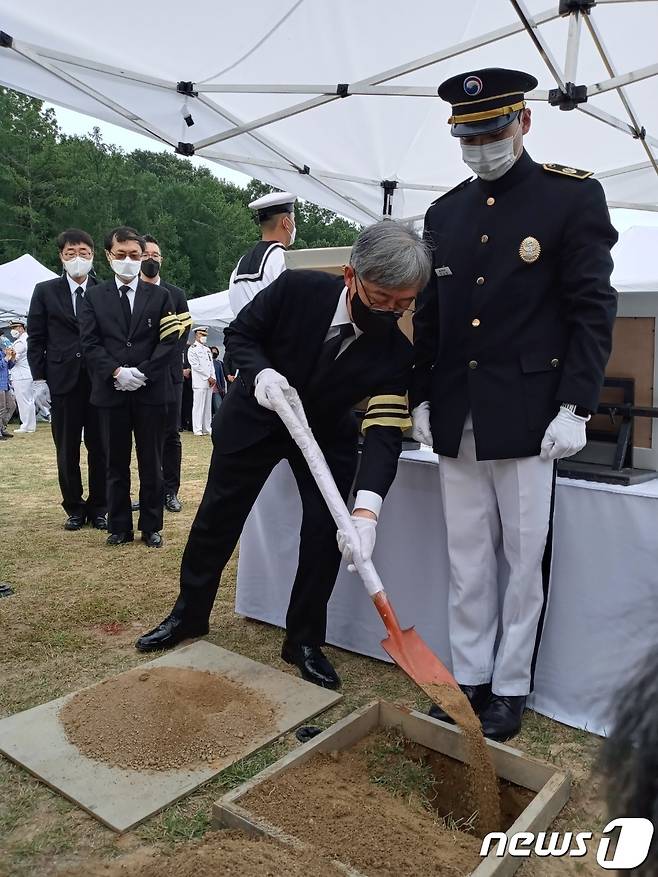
x=148 y=345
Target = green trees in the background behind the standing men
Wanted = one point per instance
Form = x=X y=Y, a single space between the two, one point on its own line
x=49 y=182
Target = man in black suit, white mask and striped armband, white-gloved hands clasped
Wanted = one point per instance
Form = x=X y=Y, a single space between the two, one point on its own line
x=129 y=331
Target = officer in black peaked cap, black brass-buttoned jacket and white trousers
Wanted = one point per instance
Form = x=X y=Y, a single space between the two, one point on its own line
x=512 y=336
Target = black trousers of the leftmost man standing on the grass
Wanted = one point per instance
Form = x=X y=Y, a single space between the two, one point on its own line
x=71 y=413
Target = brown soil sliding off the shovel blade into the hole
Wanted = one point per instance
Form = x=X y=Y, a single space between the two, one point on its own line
x=482 y=776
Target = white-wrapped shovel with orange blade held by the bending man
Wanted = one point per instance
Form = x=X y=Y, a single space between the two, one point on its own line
x=409 y=651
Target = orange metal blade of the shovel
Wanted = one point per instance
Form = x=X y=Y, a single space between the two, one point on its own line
x=410 y=651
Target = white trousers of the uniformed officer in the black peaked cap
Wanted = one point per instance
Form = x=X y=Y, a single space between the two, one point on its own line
x=488 y=504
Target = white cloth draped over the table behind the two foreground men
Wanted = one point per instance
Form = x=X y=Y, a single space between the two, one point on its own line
x=602 y=614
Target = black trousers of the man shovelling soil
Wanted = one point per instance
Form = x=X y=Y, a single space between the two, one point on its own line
x=234 y=482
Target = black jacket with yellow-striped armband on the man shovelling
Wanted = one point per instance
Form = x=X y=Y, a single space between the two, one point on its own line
x=284 y=328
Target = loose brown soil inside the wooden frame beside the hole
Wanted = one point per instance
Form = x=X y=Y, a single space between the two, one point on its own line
x=332 y=803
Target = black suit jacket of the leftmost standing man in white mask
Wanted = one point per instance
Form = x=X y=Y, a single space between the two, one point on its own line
x=54 y=349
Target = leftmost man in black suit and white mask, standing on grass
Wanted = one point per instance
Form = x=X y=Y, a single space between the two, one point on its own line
x=54 y=353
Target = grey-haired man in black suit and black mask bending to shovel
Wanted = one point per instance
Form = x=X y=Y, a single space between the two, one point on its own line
x=336 y=341
